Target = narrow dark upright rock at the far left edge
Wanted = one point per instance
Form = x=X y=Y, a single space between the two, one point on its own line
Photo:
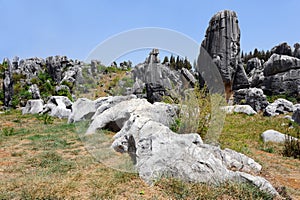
x=8 y=83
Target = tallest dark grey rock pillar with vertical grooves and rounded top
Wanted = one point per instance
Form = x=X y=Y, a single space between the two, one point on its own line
x=222 y=42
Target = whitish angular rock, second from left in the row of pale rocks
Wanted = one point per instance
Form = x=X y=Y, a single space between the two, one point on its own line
x=58 y=106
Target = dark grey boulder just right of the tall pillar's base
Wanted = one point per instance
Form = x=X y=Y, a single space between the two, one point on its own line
x=253 y=96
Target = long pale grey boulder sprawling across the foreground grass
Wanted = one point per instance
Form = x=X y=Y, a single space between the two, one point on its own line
x=156 y=152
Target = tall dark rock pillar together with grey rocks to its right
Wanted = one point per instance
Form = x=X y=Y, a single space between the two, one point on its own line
x=278 y=75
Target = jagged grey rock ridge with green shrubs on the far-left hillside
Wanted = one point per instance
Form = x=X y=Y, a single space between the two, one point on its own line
x=64 y=72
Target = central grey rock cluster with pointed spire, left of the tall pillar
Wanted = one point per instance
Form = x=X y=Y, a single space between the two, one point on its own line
x=154 y=80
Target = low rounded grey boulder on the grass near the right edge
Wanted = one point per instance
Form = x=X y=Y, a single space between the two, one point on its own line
x=279 y=106
